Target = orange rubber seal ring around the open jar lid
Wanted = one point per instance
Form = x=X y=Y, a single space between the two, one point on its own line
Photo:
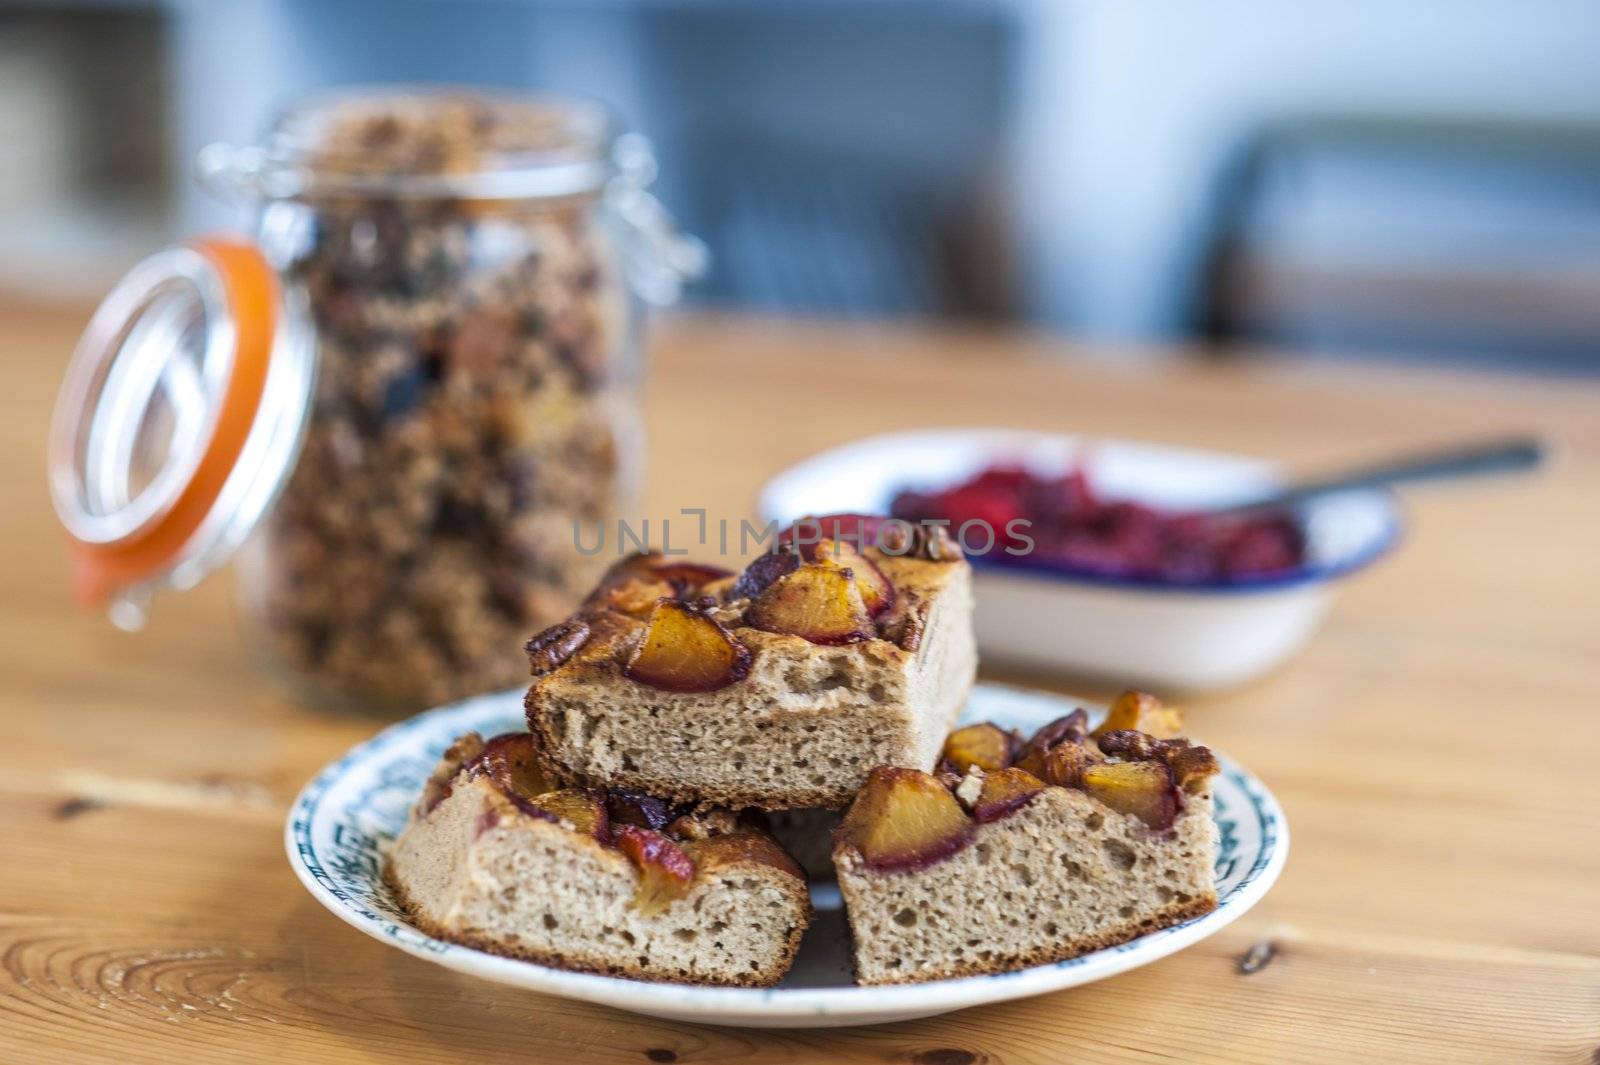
x=252 y=292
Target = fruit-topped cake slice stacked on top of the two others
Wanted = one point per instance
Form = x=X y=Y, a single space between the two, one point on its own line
x=777 y=688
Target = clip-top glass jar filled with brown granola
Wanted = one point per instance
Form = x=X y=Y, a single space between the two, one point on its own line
x=462 y=266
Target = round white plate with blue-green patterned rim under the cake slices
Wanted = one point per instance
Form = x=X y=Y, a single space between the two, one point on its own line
x=353 y=810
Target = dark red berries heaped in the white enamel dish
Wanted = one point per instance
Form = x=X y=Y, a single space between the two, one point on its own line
x=1071 y=527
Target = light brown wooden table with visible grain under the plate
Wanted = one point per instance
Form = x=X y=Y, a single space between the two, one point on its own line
x=1438 y=751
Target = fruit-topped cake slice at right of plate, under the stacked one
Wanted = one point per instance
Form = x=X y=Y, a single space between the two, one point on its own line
x=1018 y=853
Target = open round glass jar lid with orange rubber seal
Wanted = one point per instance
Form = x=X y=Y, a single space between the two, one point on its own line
x=178 y=421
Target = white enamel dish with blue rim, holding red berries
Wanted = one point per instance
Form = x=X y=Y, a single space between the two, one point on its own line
x=1146 y=632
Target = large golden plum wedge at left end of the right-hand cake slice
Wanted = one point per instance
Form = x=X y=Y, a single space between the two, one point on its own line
x=905 y=820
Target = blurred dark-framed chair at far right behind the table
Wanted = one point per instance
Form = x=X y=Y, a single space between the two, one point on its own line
x=1471 y=242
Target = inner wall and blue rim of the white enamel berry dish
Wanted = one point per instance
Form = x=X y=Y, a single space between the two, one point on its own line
x=1345 y=533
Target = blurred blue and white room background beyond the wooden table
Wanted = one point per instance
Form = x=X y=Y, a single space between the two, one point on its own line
x=1342 y=178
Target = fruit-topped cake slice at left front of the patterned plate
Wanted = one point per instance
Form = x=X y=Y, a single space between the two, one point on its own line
x=604 y=882
